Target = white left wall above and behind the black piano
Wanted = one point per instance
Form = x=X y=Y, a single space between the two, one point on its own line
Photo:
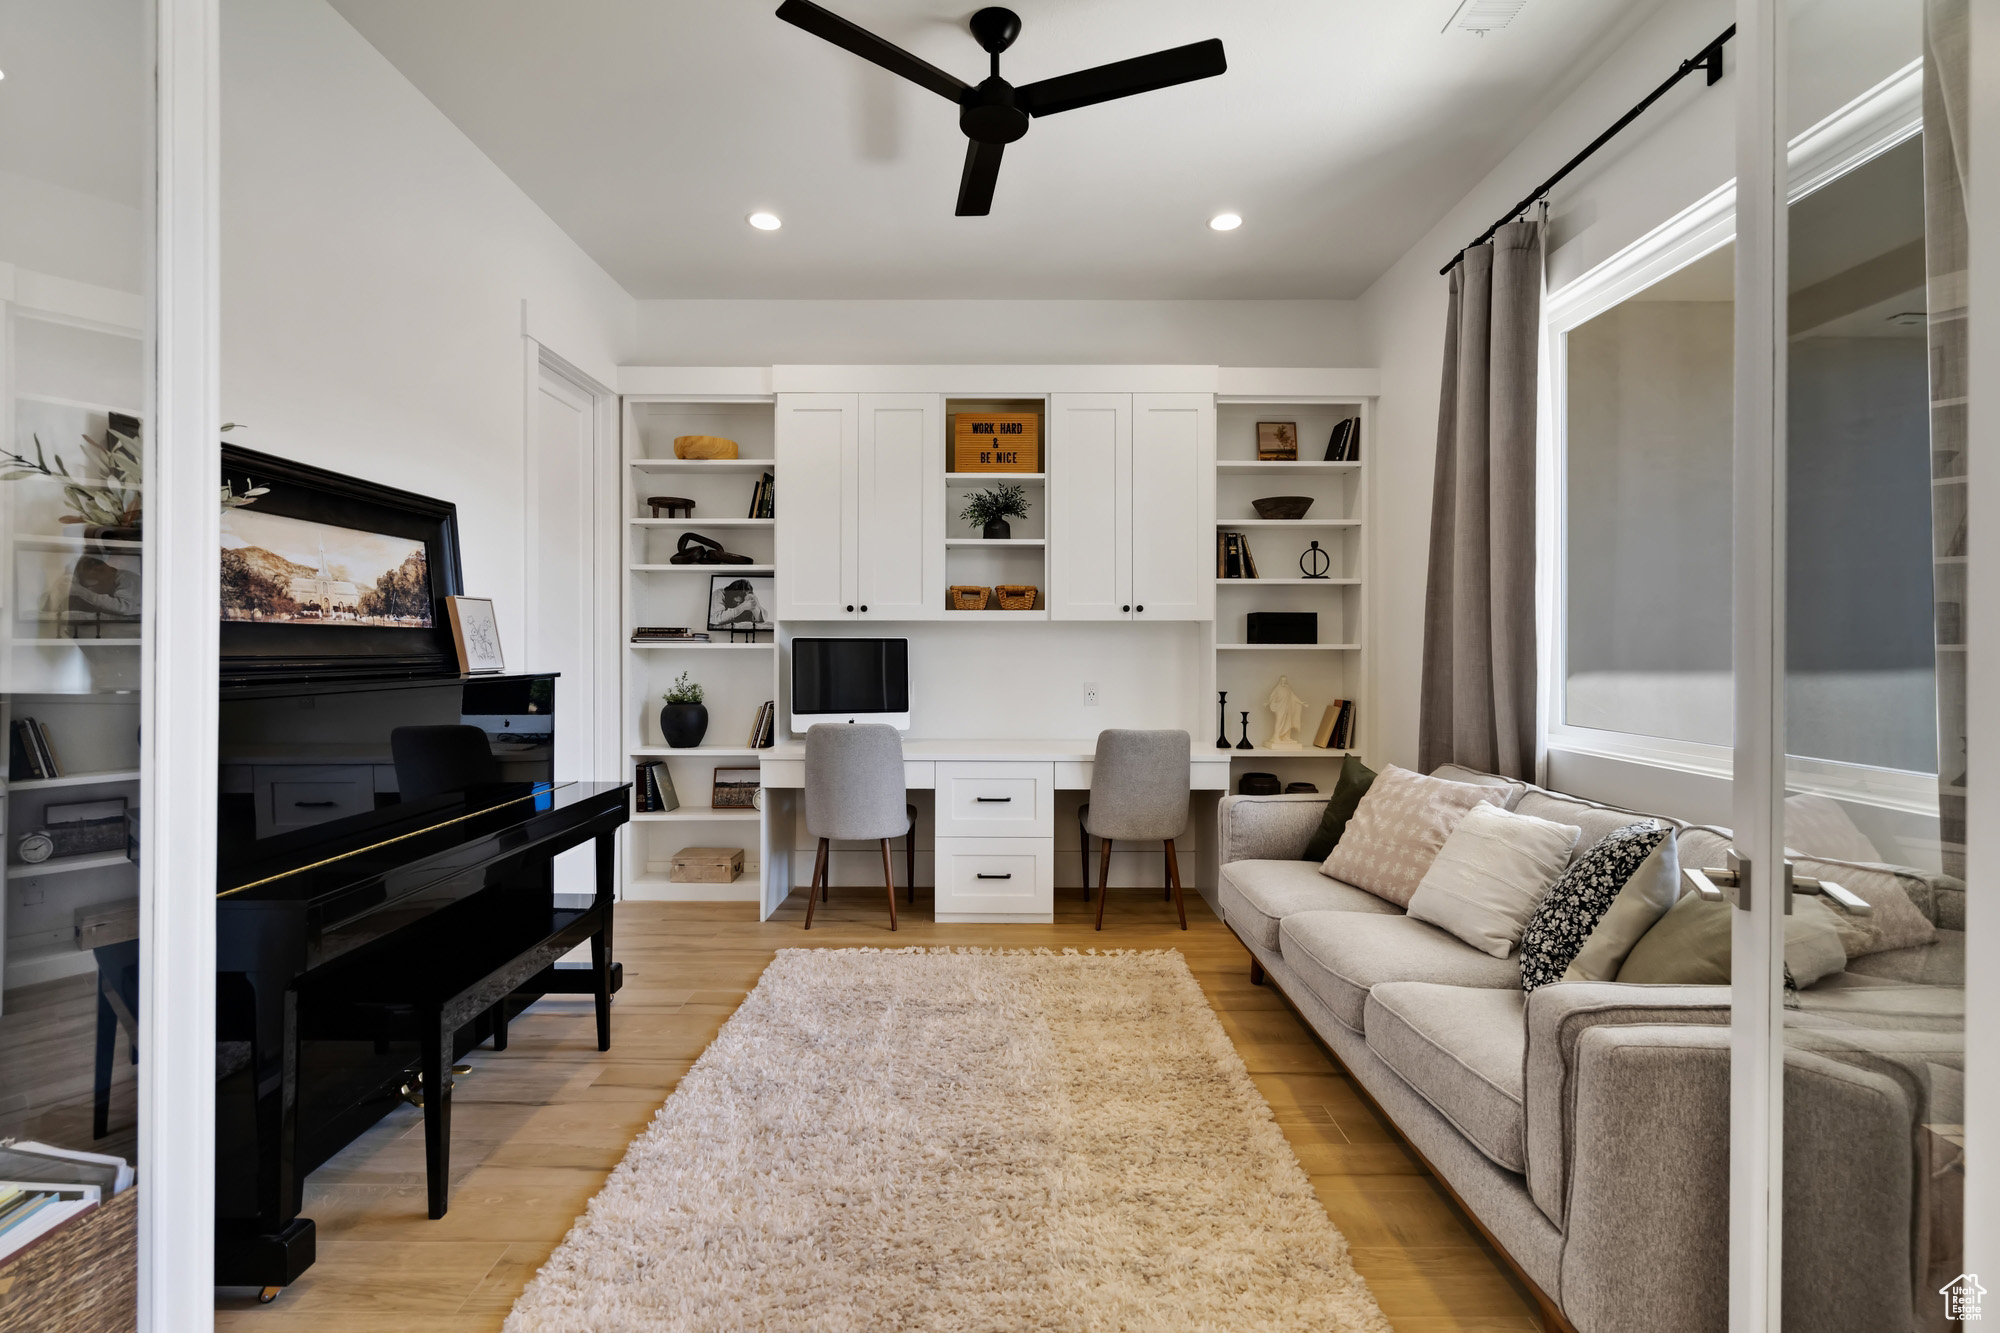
x=375 y=271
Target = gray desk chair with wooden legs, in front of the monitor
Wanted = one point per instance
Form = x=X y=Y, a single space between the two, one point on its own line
x=855 y=792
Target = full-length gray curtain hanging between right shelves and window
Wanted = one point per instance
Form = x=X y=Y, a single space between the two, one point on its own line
x=1479 y=700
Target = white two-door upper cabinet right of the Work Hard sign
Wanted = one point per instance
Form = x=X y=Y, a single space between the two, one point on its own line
x=1131 y=509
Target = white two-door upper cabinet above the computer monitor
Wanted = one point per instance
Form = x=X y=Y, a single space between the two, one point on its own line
x=861 y=521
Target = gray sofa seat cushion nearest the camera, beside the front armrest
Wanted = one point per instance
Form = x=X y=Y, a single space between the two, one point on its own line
x=1465 y=1050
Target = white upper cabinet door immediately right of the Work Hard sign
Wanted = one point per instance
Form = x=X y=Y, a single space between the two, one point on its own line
x=1091 y=507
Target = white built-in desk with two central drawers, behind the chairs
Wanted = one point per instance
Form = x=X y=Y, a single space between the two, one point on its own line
x=995 y=818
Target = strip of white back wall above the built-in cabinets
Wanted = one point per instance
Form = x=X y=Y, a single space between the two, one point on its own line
x=1201 y=333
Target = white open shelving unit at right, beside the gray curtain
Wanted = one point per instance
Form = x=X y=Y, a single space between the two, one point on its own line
x=1337 y=665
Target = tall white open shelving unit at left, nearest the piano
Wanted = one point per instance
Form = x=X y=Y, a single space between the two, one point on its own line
x=737 y=678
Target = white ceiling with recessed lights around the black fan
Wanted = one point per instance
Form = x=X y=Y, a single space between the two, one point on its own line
x=649 y=129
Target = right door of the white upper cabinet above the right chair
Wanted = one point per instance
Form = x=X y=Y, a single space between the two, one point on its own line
x=1173 y=507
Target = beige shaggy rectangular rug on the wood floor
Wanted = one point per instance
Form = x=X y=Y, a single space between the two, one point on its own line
x=959 y=1140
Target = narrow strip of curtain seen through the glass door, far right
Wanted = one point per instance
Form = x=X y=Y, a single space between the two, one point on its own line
x=1947 y=107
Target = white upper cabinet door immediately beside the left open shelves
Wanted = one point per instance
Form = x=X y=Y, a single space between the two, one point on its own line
x=817 y=449
